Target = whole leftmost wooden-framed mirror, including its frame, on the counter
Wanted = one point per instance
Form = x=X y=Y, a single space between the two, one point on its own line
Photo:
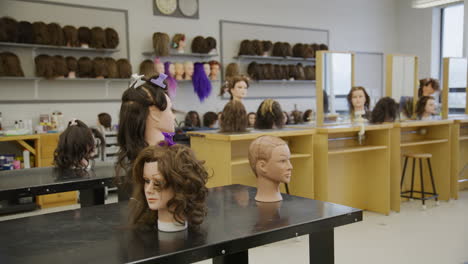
x=335 y=77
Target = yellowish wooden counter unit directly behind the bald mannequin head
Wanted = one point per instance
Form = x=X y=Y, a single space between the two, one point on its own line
x=226 y=156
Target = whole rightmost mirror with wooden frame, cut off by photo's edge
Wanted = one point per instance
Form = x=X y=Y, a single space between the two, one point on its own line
x=454 y=86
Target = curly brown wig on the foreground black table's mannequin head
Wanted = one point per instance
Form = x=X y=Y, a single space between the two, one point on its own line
x=187 y=181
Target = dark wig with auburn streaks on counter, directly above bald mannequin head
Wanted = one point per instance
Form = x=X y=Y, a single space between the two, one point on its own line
x=269 y=115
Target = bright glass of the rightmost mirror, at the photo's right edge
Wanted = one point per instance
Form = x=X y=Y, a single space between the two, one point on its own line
x=456 y=84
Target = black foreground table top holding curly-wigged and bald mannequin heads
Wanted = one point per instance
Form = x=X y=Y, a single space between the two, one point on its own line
x=99 y=234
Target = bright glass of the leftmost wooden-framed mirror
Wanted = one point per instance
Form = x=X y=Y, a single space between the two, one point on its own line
x=338 y=80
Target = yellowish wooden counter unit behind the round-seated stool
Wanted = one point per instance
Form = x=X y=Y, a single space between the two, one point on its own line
x=432 y=137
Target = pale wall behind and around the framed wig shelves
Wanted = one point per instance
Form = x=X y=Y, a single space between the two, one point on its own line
x=361 y=25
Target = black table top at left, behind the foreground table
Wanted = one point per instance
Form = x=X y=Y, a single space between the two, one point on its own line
x=37 y=181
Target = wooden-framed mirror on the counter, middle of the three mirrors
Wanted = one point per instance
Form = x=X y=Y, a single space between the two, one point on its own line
x=402 y=81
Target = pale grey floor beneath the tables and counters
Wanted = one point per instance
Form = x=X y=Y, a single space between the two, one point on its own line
x=438 y=235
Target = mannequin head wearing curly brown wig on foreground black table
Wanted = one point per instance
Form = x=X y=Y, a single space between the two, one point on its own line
x=169 y=187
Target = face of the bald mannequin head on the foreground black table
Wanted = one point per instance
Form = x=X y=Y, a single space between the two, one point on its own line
x=278 y=168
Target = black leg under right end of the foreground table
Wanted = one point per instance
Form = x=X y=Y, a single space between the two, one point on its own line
x=321 y=247
